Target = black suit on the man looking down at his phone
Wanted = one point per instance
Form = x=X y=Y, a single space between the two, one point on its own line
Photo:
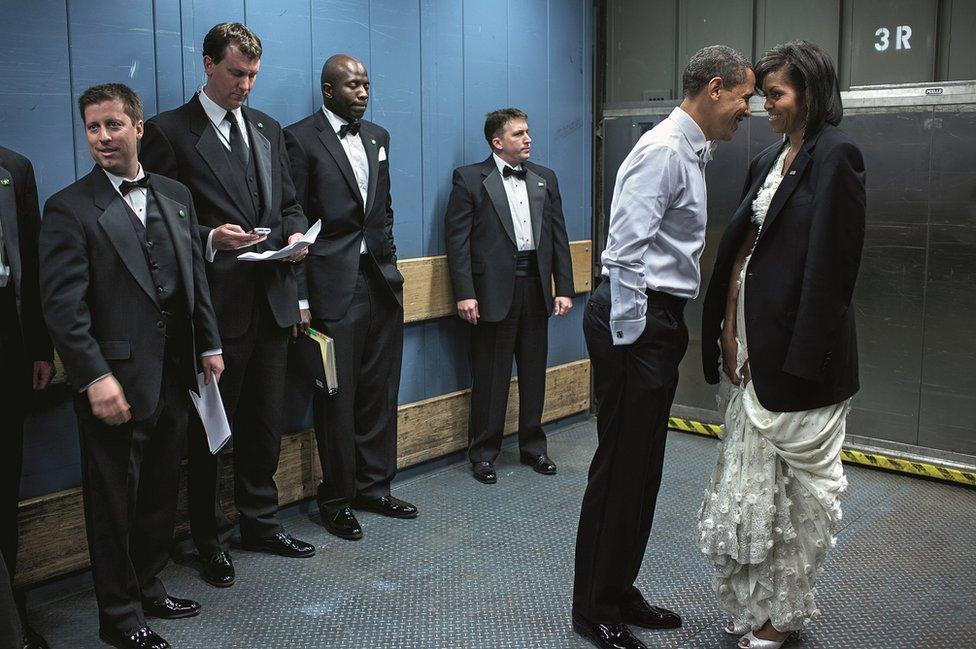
x=255 y=303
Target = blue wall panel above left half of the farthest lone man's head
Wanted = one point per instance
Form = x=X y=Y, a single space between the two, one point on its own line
x=485 y=71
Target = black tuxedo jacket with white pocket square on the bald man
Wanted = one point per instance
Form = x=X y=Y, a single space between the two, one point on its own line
x=327 y=190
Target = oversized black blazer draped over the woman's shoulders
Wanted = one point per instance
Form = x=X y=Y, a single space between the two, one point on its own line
x=800 y=282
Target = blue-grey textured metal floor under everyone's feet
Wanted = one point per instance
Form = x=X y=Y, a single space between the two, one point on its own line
x=490 y=566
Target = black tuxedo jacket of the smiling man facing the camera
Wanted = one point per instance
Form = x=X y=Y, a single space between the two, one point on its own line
x=98 y=295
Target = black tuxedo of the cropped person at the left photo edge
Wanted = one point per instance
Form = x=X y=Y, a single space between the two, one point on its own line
x=23 y=336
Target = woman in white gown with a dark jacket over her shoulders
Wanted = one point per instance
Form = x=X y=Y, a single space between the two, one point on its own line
x=780 y=296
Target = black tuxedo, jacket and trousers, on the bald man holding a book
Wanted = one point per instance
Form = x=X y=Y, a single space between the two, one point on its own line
x=357 y=299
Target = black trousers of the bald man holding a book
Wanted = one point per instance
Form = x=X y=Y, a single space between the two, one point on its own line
x=356 y=429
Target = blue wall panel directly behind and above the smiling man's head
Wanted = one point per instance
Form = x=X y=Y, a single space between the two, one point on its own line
x=110 y=46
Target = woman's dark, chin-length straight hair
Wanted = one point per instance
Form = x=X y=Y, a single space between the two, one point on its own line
x=811 y=72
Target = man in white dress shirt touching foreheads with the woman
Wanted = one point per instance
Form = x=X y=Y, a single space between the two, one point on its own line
x=636 y=337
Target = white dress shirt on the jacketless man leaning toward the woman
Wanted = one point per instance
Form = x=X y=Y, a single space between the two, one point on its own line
x=657 y=222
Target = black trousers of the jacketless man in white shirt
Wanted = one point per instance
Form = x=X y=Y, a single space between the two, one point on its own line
x=634 y=386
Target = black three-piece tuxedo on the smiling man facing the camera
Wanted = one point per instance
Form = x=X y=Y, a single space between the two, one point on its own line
x=104 y=280
